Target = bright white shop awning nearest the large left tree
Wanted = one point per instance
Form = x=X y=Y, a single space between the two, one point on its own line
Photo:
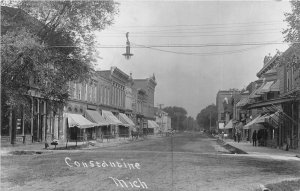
x=77 y=120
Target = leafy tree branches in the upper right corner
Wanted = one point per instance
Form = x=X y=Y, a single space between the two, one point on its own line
x=292 y=33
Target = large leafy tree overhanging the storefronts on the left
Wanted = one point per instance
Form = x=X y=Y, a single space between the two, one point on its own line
x=49 y=43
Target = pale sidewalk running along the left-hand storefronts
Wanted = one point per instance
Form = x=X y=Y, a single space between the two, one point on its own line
x=7 y=148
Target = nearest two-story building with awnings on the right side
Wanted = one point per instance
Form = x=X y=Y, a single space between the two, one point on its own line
x=274 y=104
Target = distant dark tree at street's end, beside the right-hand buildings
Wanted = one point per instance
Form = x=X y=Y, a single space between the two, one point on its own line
x=208 y=116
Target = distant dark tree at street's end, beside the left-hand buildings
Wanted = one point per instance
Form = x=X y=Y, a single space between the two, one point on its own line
x=178 y=115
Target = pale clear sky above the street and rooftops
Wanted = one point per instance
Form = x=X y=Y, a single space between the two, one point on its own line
x=194 y=48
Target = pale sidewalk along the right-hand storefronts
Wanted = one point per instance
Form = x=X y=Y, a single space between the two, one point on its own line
x=247 y=147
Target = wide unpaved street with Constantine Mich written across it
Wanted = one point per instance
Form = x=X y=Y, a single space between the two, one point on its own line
x=184 y=162
